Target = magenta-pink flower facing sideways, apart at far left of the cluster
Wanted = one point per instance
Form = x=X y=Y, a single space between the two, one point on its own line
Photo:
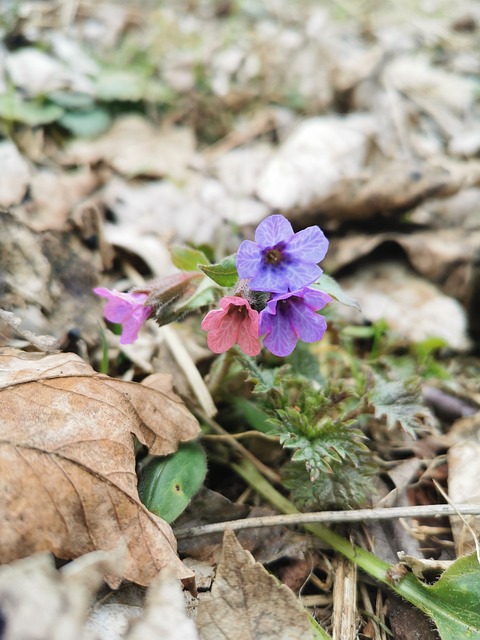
x=127 y=309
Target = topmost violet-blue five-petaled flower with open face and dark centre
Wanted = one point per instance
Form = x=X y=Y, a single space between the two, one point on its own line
x=280 y=260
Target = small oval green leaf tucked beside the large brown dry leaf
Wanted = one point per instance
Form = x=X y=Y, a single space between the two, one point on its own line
x=168 y=483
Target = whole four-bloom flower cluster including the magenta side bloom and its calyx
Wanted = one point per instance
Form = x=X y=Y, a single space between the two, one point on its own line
x=273 y=300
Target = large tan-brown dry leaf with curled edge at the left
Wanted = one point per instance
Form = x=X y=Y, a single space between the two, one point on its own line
x=68 y=464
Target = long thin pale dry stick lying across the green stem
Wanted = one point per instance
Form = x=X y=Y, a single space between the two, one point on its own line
x=357 y=515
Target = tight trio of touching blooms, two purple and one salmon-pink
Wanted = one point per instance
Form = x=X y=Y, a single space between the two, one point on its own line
x=283 y=264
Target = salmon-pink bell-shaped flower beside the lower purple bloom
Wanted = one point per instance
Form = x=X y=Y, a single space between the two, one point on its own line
x=235 y=322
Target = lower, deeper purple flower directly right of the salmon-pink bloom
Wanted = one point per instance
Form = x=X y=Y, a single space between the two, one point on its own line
x=292 y=316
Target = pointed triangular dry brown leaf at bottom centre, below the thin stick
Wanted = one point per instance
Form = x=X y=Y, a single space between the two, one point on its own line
x=247 y=602
